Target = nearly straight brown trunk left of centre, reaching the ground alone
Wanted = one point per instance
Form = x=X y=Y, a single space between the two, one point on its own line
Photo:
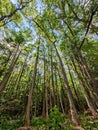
x=29 y=102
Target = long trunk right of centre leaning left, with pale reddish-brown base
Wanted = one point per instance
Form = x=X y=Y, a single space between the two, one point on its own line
x=74 y=114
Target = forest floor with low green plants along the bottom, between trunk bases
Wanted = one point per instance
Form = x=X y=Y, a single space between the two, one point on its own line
x=56 y=123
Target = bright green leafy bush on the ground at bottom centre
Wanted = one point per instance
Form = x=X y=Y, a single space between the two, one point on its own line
x=54 y=122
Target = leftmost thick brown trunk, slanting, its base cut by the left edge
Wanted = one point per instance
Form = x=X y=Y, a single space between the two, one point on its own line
x=10 y=70
